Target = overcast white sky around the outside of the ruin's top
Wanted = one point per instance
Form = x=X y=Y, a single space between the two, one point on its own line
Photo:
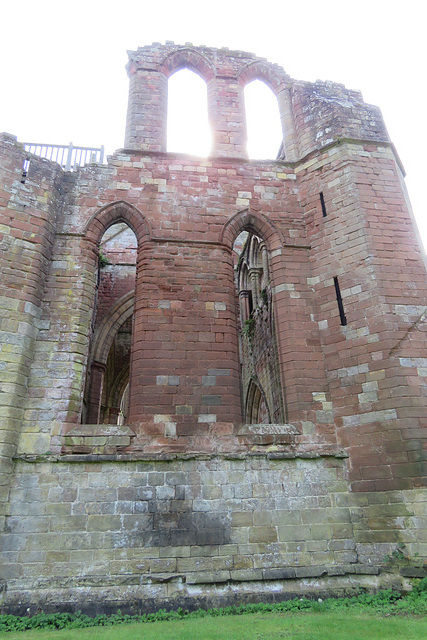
x=63 y=78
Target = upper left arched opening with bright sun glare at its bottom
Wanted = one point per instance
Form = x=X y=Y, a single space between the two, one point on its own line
x=187 y=123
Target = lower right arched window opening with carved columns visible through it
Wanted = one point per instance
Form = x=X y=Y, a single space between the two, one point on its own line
x=262 y=401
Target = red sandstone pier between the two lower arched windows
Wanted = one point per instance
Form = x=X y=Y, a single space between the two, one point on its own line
x=185 y=362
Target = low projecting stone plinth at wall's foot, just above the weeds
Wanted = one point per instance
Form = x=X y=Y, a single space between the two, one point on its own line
x=140 y=599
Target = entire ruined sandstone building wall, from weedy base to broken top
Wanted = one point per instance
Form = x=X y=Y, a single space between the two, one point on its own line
x=184 y=504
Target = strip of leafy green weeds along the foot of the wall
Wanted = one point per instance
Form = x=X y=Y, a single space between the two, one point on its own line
x=386 y=602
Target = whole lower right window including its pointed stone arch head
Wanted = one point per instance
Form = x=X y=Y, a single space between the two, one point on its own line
x=262 y=385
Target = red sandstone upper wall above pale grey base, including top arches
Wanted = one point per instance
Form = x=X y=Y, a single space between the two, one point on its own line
x=363 y=382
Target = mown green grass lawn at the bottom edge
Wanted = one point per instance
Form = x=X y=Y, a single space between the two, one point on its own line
x=344 y=625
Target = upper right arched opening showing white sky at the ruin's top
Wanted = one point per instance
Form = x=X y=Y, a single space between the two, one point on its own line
x=264 y=129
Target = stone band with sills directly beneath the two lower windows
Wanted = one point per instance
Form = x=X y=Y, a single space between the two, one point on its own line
x=149 y=441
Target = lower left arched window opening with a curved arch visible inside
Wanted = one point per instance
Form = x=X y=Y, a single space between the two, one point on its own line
x=111 y=340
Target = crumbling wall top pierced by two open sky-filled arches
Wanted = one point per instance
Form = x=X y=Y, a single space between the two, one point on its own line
x=312 y=114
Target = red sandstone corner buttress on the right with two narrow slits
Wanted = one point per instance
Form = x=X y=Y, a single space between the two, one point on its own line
x=374 y=364
